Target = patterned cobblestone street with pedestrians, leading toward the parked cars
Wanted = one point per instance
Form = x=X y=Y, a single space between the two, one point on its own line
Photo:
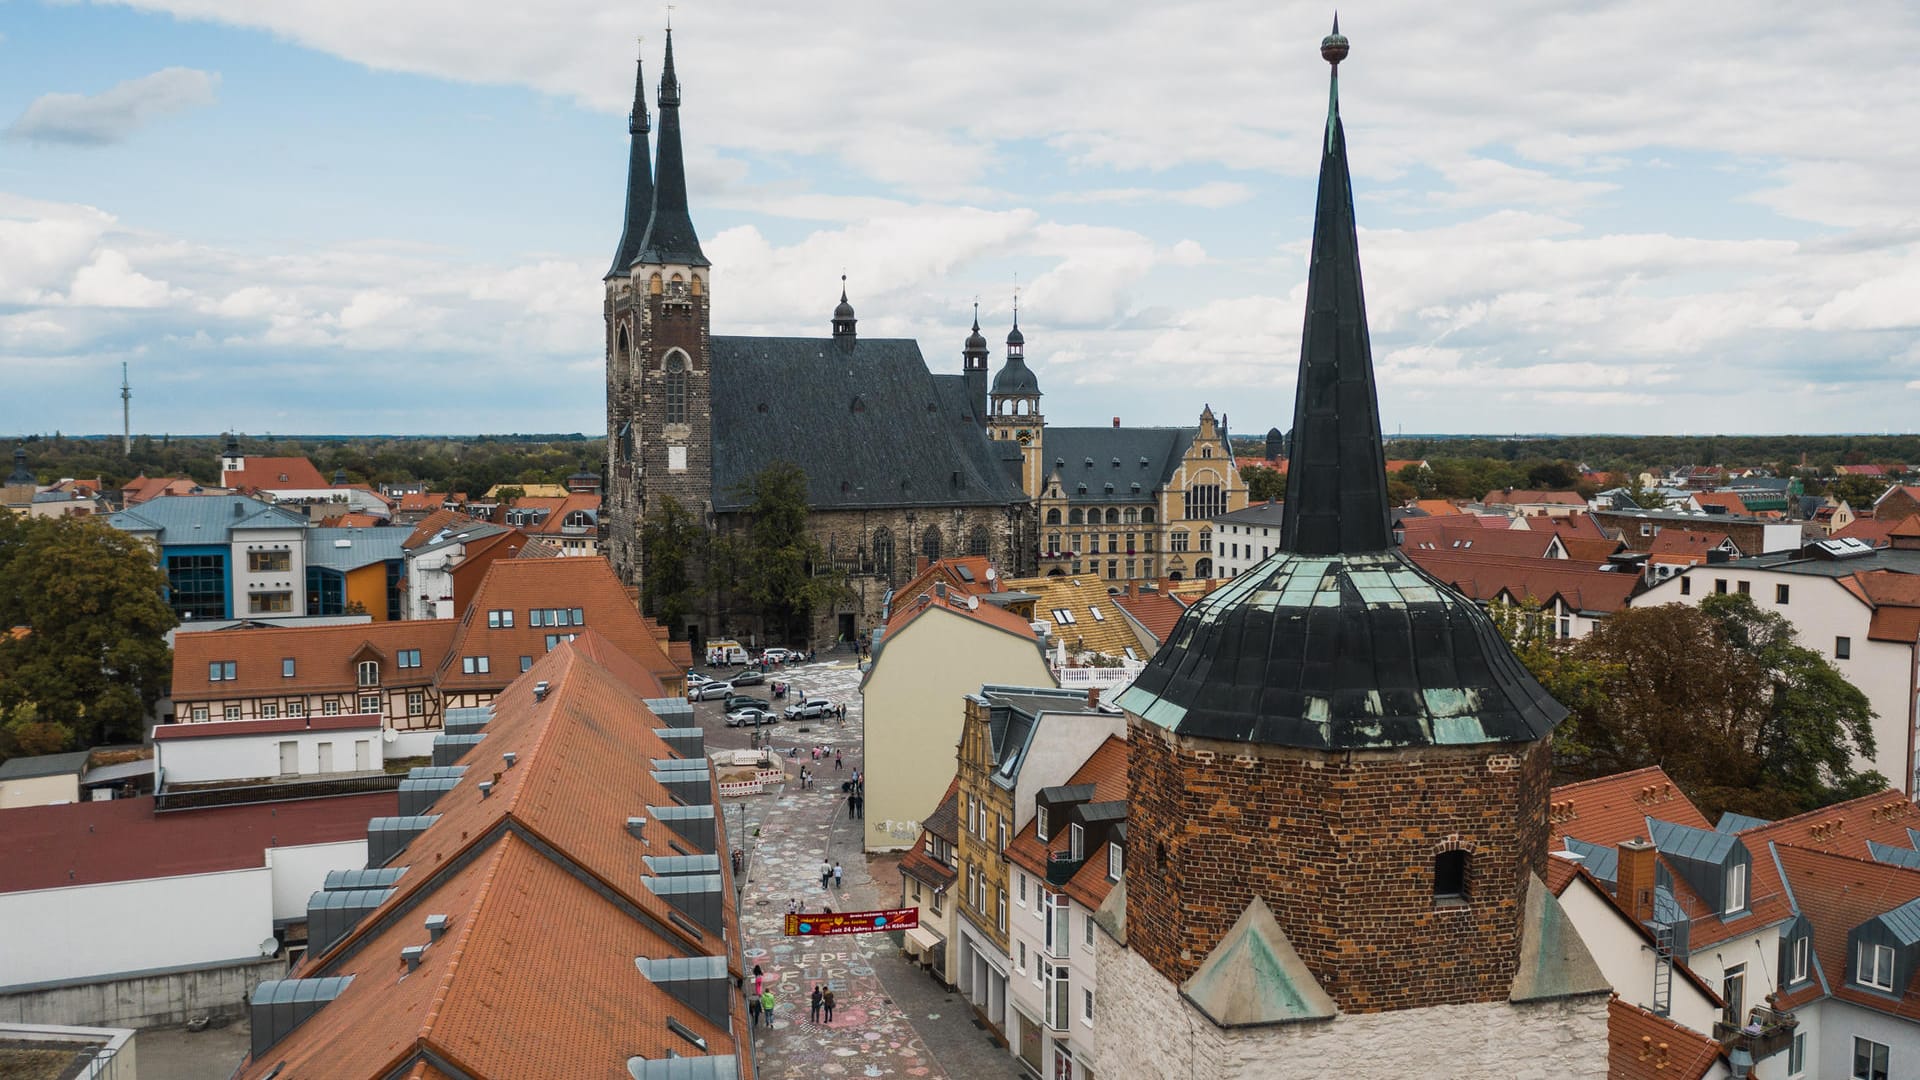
x=890 y=1018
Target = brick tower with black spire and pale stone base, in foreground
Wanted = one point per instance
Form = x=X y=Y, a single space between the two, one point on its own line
x=1339 y=787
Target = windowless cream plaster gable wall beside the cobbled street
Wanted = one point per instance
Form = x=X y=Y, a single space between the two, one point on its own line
x=915 y=708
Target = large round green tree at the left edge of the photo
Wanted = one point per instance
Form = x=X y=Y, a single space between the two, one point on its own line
x=91 y=652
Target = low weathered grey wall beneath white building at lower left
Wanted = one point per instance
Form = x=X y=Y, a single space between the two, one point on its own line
x=143 y=1000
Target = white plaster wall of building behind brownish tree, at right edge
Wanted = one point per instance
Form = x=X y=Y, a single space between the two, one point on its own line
x=1821 y=610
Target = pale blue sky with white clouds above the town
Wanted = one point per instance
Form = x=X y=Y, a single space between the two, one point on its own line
x=375 y=216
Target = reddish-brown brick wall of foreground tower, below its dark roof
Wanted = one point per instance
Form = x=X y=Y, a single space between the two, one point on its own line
x=1343 y=850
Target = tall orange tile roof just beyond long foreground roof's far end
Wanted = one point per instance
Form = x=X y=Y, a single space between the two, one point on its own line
x=525 y=585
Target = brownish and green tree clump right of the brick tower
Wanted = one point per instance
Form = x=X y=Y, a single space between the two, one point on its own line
x=1723 y=699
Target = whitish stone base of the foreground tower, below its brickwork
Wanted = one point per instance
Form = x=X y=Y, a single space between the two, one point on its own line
x=1147 y=1029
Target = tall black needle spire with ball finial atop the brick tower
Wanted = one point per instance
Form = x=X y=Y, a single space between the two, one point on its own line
x=1337 y=474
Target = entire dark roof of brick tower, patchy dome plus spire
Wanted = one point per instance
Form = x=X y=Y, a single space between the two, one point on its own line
x=1337 y=641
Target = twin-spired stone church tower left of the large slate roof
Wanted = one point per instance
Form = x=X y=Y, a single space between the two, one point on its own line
x=660 y=368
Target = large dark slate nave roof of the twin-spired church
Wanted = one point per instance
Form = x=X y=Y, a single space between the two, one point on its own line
x=863 y=418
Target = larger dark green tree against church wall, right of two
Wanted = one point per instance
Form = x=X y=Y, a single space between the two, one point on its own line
x=782 y=566
